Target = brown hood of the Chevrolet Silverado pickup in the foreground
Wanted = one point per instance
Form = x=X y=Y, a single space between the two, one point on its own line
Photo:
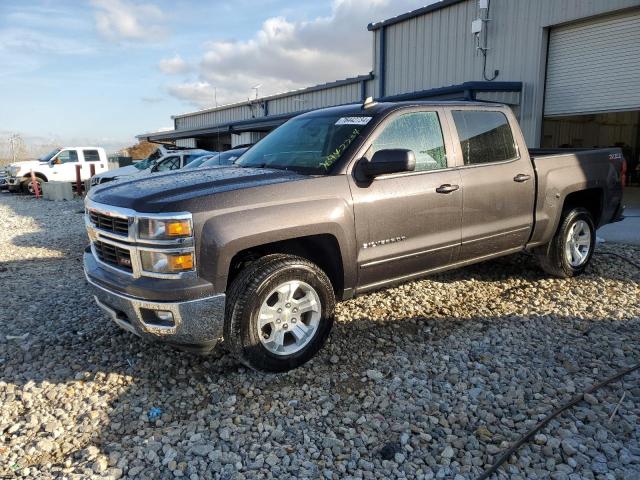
x=175 y=191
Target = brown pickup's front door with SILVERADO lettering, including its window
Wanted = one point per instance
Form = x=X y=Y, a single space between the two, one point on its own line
x=404 y=225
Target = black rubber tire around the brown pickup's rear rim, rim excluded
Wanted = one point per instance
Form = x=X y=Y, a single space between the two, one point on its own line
x=552 y=256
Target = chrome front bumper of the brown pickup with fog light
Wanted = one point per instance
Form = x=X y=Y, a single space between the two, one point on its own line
x=195 y=324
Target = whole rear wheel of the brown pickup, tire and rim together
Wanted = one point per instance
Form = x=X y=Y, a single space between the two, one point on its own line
x=571 y=248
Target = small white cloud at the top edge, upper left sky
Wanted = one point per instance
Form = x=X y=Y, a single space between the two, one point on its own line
x=119 y=20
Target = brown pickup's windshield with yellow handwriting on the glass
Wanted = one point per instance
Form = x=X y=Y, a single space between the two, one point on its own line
x=310 y=145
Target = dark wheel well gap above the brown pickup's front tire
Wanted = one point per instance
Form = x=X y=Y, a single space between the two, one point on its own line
x=323 y=250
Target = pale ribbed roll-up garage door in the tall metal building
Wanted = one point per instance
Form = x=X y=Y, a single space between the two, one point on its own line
x=594 y=66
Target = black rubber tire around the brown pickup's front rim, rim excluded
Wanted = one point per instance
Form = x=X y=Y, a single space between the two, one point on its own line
x=246 y=295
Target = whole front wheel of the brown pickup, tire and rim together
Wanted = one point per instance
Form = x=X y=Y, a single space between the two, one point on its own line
x=279 y=313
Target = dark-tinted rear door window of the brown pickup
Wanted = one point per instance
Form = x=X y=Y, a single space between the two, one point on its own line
x=485 y=137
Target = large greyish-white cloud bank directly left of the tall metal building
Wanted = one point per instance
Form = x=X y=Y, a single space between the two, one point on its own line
x=285 y=55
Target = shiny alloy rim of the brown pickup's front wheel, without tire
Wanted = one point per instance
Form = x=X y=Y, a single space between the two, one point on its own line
x=289 y=317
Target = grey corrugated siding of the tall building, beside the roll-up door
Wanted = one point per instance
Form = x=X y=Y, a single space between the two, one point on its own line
x=438 y=49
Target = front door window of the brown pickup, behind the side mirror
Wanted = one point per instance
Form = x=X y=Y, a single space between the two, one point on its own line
x=420 y=132
